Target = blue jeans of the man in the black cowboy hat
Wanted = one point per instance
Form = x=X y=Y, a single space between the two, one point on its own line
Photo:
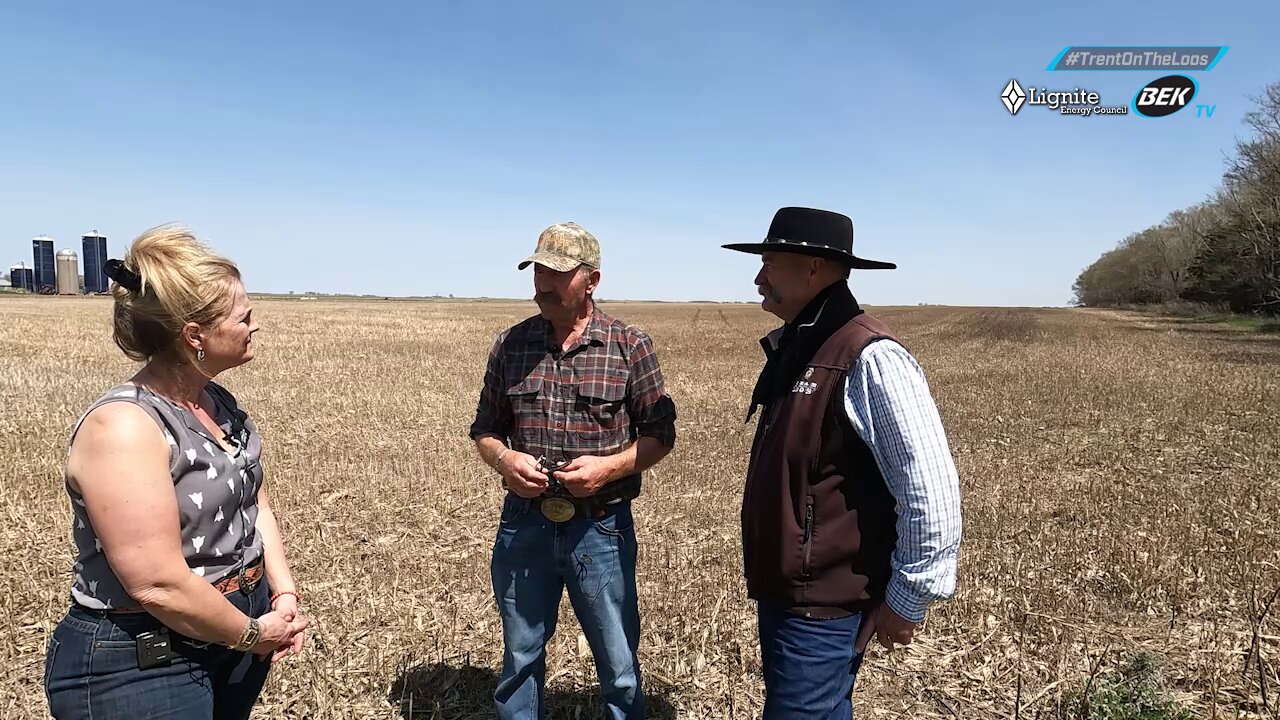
x=810 y=666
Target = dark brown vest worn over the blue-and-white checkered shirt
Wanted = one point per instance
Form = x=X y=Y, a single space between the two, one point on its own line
x=819 y=522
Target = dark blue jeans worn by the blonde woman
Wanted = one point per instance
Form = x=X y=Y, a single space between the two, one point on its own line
x=92 y=669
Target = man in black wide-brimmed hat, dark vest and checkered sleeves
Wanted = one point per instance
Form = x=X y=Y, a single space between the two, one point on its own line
x=852 y=512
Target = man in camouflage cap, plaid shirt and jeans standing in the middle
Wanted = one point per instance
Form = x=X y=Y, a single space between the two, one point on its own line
x=574 y=409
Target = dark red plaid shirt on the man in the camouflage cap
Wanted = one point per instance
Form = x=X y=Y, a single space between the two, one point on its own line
x=595 y=399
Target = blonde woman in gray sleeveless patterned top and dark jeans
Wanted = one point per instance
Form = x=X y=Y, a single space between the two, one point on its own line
x=182 y=596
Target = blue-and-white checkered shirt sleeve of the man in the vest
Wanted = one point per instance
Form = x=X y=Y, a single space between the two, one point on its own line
x=890 y=407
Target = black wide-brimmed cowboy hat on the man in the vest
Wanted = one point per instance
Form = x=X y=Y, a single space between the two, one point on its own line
x=812 y=233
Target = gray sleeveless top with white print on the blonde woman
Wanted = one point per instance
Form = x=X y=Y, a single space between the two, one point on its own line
x=217 y=494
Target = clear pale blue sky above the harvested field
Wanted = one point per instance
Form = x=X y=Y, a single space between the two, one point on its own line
x=419 y=149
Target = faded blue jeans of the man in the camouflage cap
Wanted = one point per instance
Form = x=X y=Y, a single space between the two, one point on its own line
x=534 y=560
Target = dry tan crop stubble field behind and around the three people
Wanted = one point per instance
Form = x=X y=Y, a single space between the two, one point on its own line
x=1121 y=481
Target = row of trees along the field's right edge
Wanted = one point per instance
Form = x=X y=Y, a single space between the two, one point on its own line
x=1224 y=252
